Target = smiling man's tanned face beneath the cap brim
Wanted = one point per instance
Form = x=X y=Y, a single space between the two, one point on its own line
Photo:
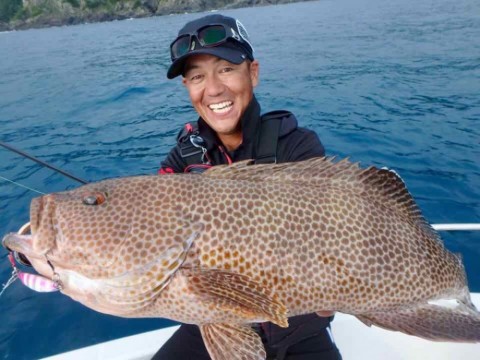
x=220 y=91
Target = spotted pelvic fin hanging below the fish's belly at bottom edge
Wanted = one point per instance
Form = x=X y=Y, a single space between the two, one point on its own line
x=232 y=342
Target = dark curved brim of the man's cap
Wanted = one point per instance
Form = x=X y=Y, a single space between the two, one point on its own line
x=233 y=55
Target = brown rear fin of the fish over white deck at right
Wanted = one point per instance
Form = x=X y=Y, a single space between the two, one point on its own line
x=431 y=322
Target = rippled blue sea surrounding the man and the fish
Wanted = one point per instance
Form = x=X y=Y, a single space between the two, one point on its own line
x=385 y=82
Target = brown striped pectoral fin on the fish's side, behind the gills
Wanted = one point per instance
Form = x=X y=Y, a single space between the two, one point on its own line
x=238 y=294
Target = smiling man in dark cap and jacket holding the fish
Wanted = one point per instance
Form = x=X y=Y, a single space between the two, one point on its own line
x=215 y=58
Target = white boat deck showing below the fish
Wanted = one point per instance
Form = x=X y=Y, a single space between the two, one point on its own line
x=355 y=340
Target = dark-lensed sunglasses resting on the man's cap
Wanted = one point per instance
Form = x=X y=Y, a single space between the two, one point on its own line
x=207 y=36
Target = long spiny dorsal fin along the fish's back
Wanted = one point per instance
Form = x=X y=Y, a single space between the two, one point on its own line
x=379 y=185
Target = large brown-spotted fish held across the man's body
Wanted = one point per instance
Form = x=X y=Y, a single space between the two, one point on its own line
x=243 y=244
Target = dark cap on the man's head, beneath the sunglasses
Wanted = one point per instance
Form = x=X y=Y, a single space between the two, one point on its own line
x=235 y=51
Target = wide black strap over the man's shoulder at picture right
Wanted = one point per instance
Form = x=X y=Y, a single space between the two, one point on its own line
x=266 y=149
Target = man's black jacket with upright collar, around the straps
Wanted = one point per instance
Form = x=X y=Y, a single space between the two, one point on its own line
x=294 y=143
